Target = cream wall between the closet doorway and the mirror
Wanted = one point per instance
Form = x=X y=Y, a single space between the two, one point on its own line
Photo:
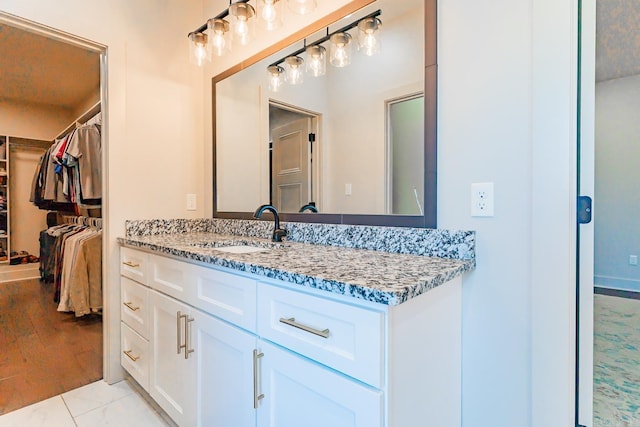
x=155 y=114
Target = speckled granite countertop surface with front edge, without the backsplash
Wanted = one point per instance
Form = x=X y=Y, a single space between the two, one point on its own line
x=377 y=276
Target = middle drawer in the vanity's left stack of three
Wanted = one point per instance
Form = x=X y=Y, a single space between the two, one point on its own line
x=134 y=308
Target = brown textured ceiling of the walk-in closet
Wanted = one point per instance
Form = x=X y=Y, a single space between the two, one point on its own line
x=38 y=70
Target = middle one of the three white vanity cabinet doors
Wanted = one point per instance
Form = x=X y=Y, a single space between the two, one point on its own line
x=224 y=380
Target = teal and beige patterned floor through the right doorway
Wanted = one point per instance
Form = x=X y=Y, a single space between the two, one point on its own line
x=616 y=362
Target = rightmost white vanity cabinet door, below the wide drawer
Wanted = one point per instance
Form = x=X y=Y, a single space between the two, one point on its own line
x=299 y=392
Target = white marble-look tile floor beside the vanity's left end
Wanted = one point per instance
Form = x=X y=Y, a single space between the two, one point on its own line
x=94 y=405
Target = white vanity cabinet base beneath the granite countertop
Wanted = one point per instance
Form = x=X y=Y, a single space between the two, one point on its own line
x=228 y=349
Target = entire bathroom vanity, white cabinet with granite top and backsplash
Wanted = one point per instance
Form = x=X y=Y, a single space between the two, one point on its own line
x=235 y=330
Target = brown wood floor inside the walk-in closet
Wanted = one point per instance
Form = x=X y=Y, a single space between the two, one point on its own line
x=43 y=352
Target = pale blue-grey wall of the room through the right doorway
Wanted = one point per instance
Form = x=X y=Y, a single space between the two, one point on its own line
x=617 y=204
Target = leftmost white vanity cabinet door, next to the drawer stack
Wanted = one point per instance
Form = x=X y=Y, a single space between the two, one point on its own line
x=172 y=376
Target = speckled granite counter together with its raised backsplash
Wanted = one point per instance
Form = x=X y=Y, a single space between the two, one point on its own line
x=406 y=263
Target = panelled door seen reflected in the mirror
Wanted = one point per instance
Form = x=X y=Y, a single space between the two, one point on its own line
x=291 y=166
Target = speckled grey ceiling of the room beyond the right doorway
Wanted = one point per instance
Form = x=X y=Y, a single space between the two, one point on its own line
x=617 y=39
